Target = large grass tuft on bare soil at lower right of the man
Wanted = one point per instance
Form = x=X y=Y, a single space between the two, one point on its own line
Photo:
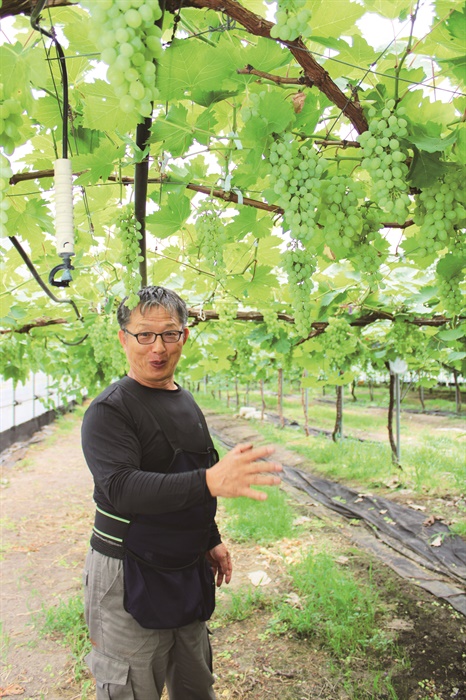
x=333 y=608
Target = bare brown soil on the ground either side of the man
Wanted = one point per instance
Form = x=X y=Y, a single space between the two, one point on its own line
x=46 y=517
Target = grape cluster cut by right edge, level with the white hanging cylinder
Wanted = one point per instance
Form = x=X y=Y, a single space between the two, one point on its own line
x=439 y=211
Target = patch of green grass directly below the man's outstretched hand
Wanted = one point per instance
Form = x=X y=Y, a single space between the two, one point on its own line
x=262 y=522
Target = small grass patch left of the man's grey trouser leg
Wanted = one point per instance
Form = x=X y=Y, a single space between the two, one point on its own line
x=65 y=623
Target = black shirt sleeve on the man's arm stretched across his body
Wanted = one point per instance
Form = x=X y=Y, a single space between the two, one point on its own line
x=113 y=454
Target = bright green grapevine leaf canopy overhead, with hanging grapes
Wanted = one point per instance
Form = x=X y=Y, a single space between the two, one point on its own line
x=337 y=242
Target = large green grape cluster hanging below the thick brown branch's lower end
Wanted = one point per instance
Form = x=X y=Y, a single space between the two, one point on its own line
x=385 y=160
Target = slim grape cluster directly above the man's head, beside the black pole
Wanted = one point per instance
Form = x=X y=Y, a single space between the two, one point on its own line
x=129 y=231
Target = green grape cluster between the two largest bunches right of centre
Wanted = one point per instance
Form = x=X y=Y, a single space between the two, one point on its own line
x=340 y=214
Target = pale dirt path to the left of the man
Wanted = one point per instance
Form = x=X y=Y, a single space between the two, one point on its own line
x=46 y=507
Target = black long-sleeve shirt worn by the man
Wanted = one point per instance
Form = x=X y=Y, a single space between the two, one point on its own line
x=129 y=455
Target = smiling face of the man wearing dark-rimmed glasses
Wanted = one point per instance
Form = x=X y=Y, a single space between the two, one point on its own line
x=153 y=365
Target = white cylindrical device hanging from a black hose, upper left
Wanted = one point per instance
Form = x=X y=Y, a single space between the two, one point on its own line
x=64 y=221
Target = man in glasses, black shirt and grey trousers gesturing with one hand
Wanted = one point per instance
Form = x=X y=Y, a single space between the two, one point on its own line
x=156 y=552
